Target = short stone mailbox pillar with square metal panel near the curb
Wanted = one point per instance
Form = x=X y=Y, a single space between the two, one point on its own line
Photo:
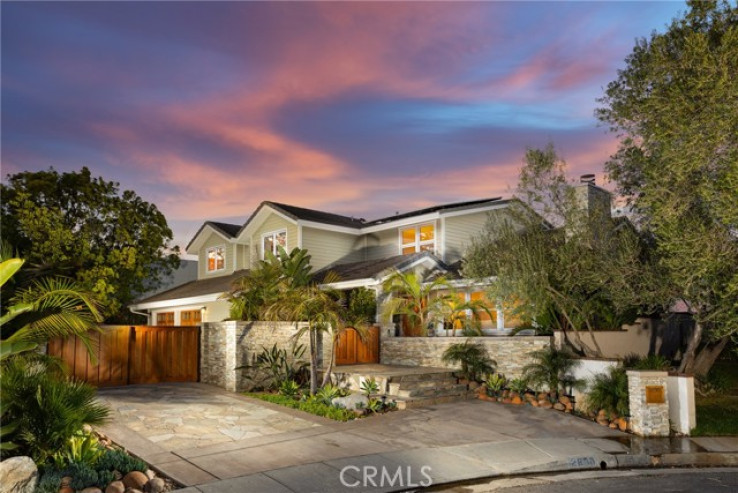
x=649 y=403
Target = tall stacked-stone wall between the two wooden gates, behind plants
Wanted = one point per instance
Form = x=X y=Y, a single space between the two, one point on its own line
x=224 y=346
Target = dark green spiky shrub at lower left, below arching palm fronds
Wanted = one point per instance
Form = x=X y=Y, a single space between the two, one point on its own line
x=48 y=407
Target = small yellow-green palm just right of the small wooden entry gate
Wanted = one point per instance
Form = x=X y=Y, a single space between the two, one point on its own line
x=417 y=301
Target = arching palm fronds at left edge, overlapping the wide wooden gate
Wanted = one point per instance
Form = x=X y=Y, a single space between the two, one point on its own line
x=48 y=308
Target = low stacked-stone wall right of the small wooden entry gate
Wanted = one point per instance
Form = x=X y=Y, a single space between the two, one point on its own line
x=510 y=353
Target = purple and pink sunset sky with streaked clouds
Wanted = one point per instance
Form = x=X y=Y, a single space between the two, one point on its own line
x=206 y=109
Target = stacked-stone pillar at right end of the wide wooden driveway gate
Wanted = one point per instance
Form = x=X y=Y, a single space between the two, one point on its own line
x=218 y=354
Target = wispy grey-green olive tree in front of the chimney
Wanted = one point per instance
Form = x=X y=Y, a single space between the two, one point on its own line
x=560 y=258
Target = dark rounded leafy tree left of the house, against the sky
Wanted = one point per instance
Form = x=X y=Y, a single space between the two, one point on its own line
x=114 y=244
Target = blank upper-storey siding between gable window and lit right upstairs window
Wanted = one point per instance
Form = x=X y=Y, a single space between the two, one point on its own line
x=328 y=247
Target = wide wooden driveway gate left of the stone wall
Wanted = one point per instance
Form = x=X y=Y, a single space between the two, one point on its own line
x=129 y=355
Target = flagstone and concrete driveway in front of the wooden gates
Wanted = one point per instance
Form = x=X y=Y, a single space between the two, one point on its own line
x=198 y=434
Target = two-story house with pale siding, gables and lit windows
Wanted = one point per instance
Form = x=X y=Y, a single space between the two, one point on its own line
x=360 y=252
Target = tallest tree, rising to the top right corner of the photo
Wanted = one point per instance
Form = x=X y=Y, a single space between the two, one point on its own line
x=675 y=109
